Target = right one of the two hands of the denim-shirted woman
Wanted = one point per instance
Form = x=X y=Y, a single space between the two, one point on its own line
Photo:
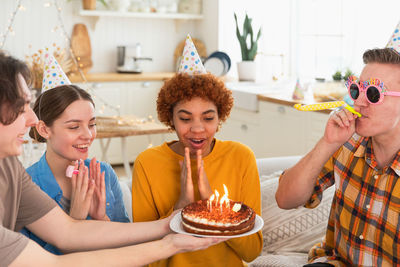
x=98 y=205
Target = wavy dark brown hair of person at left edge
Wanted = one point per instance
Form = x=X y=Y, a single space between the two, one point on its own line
x=12 y=97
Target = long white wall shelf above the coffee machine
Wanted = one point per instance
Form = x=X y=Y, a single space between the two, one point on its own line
x=107 y=13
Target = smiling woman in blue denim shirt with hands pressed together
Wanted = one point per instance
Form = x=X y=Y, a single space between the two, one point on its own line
x=67 y=124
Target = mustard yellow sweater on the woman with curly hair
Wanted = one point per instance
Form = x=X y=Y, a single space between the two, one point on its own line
x=156 y=188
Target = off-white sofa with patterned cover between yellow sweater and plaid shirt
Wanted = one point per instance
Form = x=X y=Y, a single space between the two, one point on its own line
x=288 y=234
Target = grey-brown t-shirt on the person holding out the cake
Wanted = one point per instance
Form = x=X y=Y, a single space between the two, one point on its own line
x=22 y=202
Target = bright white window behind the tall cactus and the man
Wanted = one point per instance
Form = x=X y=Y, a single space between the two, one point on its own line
x=310 y=38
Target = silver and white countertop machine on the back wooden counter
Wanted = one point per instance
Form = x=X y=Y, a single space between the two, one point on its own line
x=129 y=58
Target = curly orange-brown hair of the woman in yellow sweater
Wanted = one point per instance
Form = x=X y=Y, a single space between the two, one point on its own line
x=185 y=87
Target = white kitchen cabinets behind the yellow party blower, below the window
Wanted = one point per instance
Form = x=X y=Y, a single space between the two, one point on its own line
x=275 y=129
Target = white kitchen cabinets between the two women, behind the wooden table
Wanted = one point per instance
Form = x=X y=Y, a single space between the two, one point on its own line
x=135 y=98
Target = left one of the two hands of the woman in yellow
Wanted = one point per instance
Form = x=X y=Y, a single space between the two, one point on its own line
x=187 y=192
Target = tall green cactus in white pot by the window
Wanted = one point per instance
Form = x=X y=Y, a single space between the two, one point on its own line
x=248 y=46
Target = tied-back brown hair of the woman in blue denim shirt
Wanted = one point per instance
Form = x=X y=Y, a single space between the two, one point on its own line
x=51 y=104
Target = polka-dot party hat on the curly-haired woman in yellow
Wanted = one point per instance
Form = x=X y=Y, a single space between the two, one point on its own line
x=191 y=62
